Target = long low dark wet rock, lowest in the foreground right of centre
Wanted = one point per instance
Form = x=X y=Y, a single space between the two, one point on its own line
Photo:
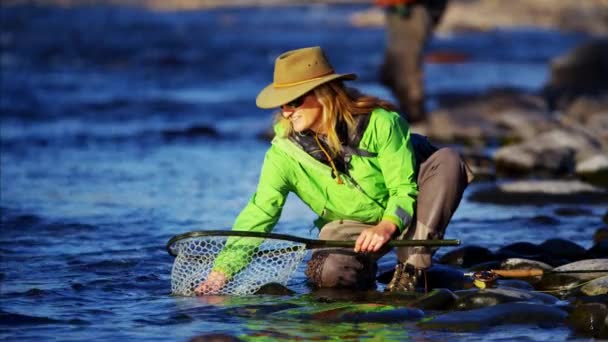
x=509 y=313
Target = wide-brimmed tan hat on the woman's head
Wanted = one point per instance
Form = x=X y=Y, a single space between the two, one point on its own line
x=296 y=73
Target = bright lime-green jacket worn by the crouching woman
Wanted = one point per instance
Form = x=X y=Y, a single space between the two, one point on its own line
x=381 y=185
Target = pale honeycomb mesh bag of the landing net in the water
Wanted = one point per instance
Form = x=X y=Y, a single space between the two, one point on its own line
x=249 y=262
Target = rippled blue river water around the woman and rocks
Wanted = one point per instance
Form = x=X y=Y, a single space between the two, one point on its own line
x=123 y=127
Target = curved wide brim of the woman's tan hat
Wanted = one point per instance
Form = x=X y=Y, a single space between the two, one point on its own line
x=272 y=97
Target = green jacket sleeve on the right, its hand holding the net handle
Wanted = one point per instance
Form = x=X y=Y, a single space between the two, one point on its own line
x=397 y=164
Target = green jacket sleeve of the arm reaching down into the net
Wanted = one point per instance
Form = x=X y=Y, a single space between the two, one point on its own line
x=260 y=215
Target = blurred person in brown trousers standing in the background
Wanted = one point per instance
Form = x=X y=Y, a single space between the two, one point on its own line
x=409 y=26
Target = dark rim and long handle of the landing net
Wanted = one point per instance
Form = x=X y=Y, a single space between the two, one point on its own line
x=309 y=243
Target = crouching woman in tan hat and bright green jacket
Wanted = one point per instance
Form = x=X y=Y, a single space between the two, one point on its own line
x=352 y=160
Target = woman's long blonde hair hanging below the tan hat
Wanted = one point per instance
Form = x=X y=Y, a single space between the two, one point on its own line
x=339 y=102
